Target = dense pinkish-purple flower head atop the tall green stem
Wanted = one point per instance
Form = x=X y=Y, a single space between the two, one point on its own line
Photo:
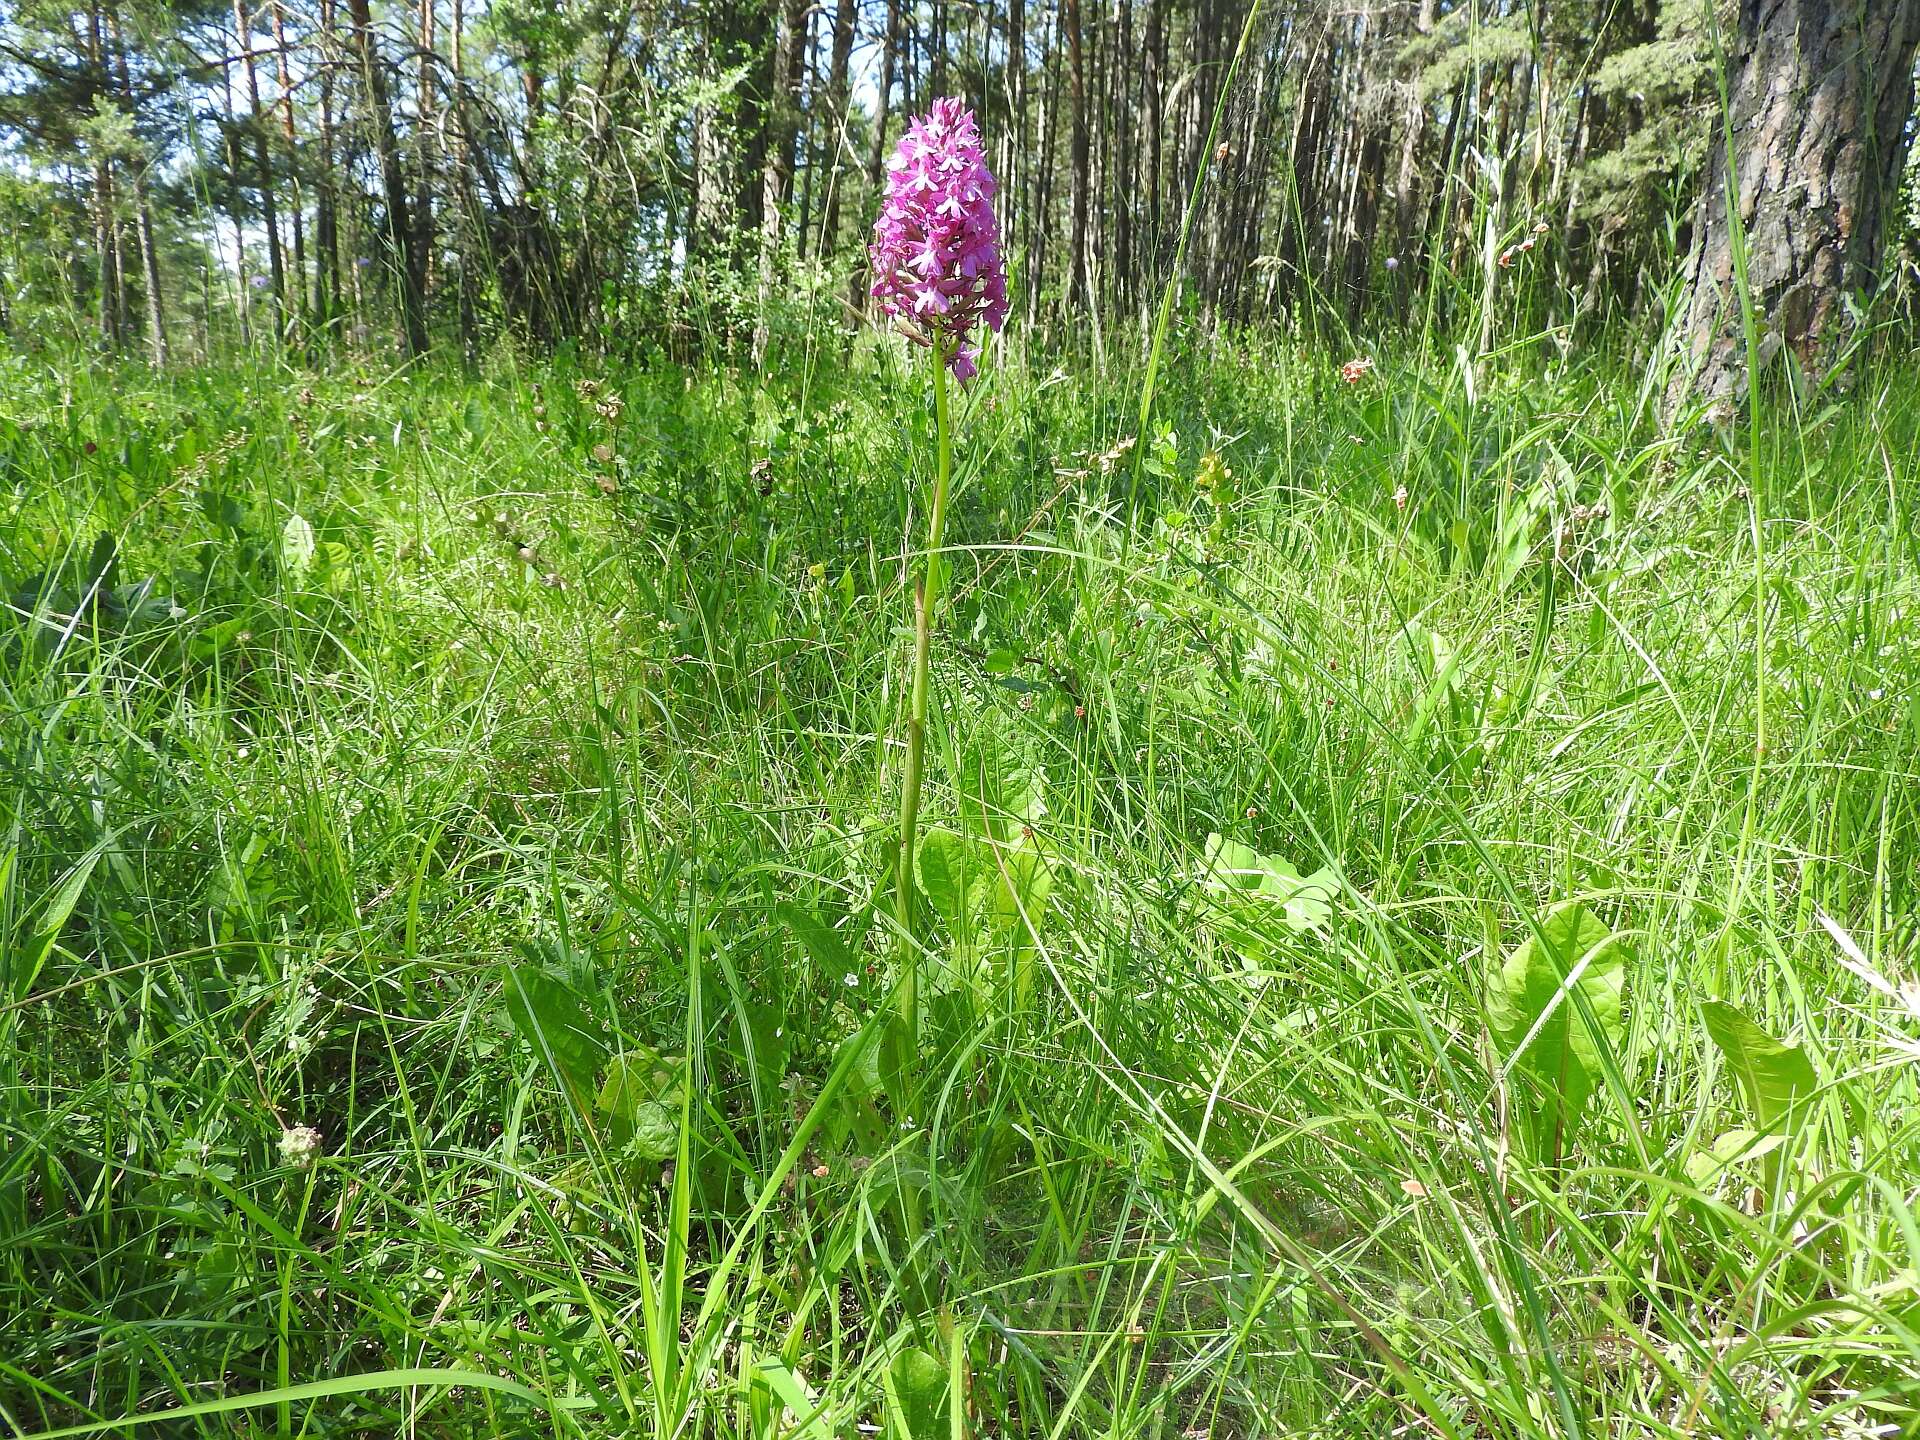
x=936 y=245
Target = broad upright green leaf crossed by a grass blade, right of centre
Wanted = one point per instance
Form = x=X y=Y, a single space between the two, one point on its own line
x=1537 y=1022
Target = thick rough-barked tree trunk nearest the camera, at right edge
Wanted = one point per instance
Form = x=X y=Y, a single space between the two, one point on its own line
x=1821 y=93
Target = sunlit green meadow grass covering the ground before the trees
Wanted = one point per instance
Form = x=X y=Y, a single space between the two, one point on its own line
x=498 y=775
